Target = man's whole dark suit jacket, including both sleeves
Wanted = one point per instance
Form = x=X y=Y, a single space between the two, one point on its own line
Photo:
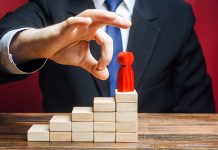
x=170 y=73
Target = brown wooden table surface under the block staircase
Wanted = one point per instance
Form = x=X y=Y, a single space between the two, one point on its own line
x=164 y=131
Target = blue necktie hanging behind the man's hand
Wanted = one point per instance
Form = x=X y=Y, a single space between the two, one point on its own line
x=115 y=34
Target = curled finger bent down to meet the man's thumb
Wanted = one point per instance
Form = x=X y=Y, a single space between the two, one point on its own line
x=106 y=43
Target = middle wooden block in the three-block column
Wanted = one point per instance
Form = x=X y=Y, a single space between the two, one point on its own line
x=82 y=126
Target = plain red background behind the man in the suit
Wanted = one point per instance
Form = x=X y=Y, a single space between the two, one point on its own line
x=25 y=96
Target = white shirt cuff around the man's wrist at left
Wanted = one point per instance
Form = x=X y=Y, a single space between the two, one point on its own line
x=6 y=58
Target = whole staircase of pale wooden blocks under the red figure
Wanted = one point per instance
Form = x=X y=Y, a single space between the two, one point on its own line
x=110 y=120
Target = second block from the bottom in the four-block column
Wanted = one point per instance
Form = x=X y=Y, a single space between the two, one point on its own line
x=104 y=126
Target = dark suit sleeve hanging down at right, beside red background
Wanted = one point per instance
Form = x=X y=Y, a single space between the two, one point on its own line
x=192 y=85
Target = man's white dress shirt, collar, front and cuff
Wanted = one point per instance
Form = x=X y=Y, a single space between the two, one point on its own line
x=125 y=10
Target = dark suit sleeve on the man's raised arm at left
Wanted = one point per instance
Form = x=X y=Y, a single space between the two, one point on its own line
x=32 y=15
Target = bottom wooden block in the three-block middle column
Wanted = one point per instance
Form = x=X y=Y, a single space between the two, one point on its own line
x=82 y=136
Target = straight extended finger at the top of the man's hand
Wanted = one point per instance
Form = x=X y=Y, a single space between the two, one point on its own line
x=105 y=17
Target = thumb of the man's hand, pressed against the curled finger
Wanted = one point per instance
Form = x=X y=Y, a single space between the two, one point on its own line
x=90 y=64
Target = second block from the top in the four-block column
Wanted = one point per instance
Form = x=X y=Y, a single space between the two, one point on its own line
x=104 y=116
